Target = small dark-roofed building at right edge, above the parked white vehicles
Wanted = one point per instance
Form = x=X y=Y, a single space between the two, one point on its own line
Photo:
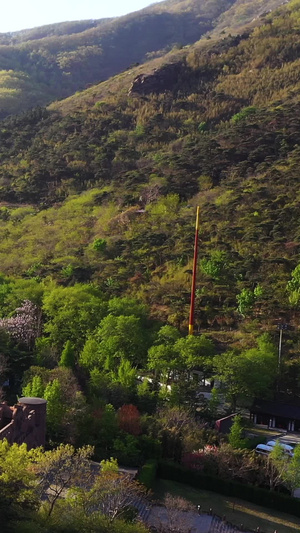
x=276 y=415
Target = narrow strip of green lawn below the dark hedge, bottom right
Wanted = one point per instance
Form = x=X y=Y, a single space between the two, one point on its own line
x=236 y=511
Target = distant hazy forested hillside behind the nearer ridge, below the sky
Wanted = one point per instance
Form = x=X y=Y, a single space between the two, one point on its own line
x=43 y=64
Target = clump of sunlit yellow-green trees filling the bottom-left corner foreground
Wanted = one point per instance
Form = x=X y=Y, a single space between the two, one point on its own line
x=91 y=501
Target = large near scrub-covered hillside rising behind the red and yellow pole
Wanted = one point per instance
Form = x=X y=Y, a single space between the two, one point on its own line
x=225 y=136
